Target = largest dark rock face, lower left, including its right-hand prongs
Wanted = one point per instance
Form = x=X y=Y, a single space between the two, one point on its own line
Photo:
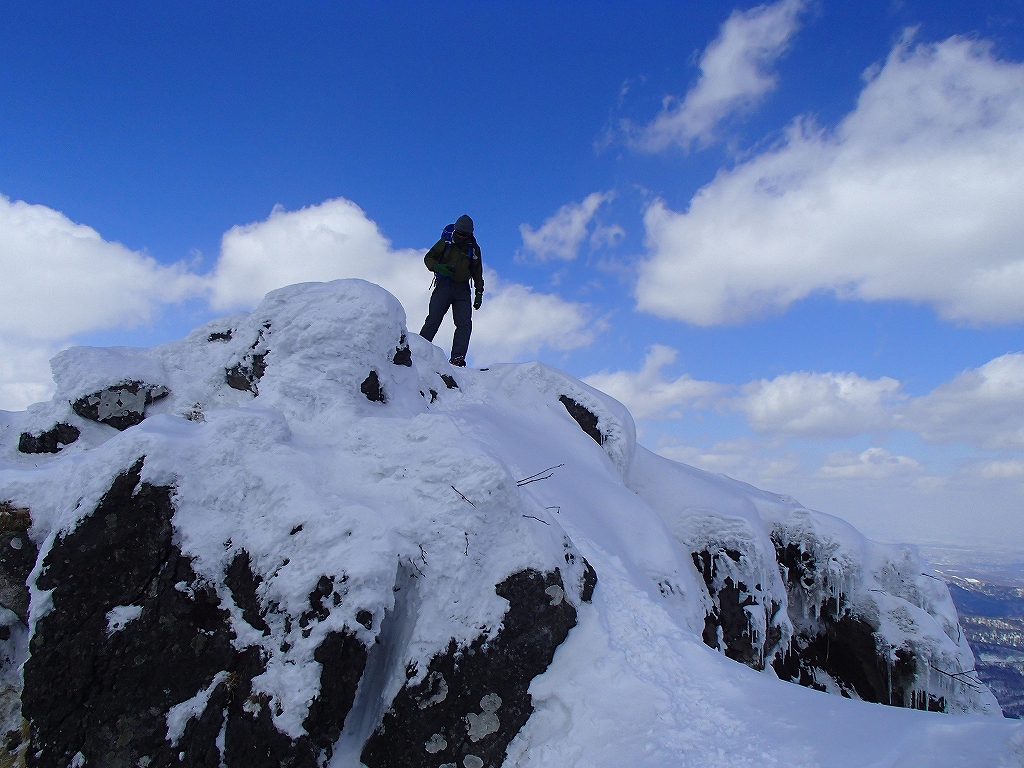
x=104 y=689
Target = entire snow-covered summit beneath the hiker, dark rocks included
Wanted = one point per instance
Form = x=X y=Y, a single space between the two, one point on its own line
x=298 y=537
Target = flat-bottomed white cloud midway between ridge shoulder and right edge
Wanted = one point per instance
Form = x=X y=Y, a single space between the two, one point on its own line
x=806 y=405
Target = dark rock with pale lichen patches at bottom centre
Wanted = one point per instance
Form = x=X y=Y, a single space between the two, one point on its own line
x=473 y=701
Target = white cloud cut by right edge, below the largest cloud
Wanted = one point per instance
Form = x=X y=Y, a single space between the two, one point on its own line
x=984 y=407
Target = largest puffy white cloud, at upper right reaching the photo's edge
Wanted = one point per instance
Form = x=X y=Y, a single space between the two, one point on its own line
x=918 y=195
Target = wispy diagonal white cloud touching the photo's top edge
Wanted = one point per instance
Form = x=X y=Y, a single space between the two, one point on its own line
x=735 y=76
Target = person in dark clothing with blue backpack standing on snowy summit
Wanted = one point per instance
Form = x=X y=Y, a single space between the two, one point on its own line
x=454 y=260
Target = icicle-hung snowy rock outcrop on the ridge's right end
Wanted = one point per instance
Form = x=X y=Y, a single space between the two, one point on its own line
x=808 y=595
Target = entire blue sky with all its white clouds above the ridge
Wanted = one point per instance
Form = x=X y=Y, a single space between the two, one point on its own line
x=788 y=236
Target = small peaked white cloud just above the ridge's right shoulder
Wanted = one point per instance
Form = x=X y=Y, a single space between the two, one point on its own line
x=648 y=395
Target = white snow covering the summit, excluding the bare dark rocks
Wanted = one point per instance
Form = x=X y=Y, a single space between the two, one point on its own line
x=313 y=480
